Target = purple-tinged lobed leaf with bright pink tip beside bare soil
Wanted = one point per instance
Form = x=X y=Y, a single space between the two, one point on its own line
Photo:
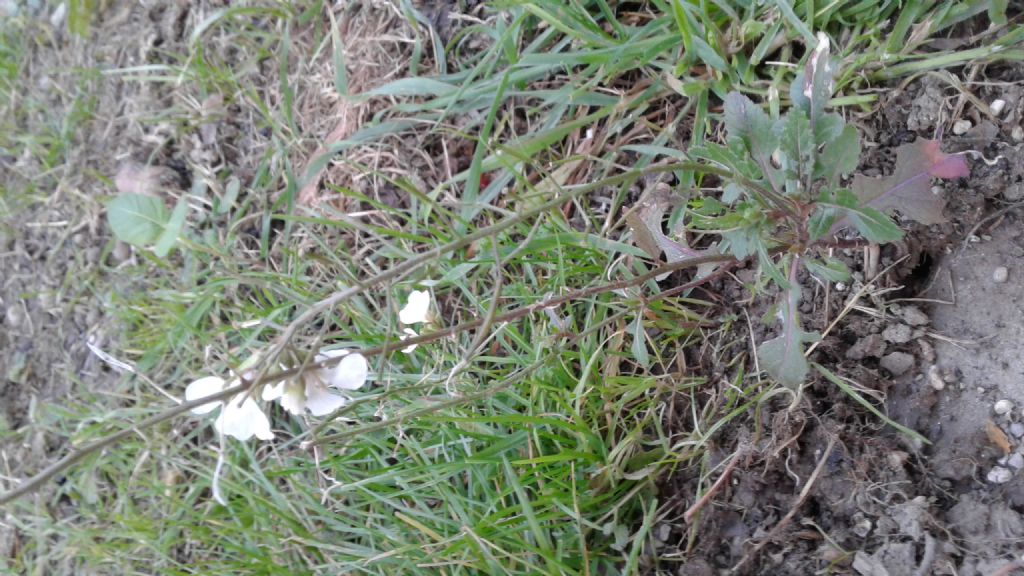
x=910 y=188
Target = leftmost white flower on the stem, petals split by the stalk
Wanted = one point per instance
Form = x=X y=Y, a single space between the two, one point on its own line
x=240 y=418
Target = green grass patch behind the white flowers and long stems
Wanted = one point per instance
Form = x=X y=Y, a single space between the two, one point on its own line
x=554 y=472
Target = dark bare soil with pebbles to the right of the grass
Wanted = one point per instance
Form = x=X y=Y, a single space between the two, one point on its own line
x=938 y=339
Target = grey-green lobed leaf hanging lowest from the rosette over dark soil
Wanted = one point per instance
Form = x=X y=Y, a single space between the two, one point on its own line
x=783 y=357
